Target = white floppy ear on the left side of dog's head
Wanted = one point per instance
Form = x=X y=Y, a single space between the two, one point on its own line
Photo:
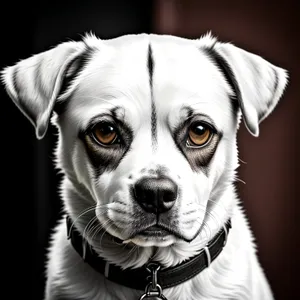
x=35 y=83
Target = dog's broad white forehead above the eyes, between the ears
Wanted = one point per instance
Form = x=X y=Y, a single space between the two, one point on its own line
x=181 y=74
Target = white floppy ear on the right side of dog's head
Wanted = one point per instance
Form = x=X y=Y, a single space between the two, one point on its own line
x=257 y=84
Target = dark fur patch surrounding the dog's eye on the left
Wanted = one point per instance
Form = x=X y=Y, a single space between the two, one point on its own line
x=107 y=158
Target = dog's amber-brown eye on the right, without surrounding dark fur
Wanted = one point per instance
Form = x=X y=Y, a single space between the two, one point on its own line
x=199 y=134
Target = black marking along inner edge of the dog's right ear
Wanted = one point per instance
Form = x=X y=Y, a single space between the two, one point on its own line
x=227 y=72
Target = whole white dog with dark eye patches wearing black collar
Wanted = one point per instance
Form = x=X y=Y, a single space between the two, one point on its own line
x=147 y=128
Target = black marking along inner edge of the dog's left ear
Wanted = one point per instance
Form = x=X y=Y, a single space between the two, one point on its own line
x=78 y=64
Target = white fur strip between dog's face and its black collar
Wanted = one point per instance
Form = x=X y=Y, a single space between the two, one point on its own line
x=129 y=255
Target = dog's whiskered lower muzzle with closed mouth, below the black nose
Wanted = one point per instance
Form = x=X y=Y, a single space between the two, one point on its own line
x=136 y=226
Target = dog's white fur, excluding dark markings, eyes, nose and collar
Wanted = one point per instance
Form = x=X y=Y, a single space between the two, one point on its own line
x=117 y=75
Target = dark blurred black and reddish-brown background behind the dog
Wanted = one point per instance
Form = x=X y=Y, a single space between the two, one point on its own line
x=30 y=203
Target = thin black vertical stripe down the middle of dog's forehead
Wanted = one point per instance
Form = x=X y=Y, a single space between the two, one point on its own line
x=153 y=108
